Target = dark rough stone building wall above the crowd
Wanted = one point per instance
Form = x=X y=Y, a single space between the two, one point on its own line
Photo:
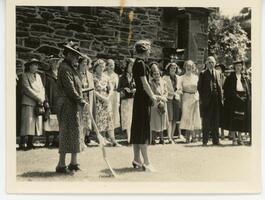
x=102 y=32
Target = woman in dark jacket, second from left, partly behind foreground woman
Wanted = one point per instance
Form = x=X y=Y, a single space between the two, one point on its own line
x=51 y=90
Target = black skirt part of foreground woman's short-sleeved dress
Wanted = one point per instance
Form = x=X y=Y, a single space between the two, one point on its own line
x=140 y=130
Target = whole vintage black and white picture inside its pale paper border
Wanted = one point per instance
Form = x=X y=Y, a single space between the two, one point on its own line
x=133 y=94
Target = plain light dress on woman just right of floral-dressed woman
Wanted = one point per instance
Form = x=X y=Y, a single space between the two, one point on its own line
x=115 y=98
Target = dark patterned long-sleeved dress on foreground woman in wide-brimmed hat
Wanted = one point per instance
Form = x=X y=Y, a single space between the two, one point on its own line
x=70 y=106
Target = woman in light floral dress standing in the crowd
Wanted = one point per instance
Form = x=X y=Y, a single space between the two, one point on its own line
x=102 y=102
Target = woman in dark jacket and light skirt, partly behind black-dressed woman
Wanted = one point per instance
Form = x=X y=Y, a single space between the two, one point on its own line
x=127 y=90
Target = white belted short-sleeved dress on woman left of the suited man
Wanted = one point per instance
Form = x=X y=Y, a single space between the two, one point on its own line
x=190 y=119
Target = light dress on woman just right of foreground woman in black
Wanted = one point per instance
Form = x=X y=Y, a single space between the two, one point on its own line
x=159 y=121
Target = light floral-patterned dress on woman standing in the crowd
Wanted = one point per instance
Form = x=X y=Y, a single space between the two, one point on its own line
x=103 y=111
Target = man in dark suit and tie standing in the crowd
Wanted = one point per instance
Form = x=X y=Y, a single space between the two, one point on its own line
x=211 y=97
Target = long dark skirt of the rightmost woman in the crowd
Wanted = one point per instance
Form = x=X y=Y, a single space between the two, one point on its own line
x=240 y=113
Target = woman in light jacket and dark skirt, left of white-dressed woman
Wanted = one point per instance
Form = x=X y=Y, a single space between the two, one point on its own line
x=173 y=99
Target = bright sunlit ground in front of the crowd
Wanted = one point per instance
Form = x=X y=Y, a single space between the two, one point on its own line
x=176 y=162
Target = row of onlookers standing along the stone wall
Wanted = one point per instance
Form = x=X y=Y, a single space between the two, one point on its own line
x=194 y=102
